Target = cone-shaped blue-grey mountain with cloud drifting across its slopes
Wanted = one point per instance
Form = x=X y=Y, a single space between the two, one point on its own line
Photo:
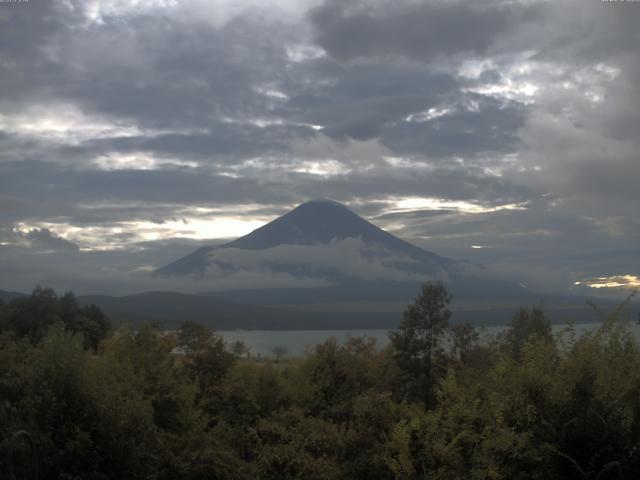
x=336 y=260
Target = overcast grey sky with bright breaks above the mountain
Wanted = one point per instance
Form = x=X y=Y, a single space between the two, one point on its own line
x=504 y=132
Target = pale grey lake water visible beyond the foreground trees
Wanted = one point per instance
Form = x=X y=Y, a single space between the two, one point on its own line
x=296 y=342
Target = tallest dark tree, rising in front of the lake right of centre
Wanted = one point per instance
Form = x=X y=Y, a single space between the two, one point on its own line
x=417 y=341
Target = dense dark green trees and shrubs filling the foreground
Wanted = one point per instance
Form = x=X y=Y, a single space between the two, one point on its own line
x=143 y=404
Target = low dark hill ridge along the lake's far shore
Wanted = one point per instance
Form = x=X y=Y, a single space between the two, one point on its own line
x=169 y=309
